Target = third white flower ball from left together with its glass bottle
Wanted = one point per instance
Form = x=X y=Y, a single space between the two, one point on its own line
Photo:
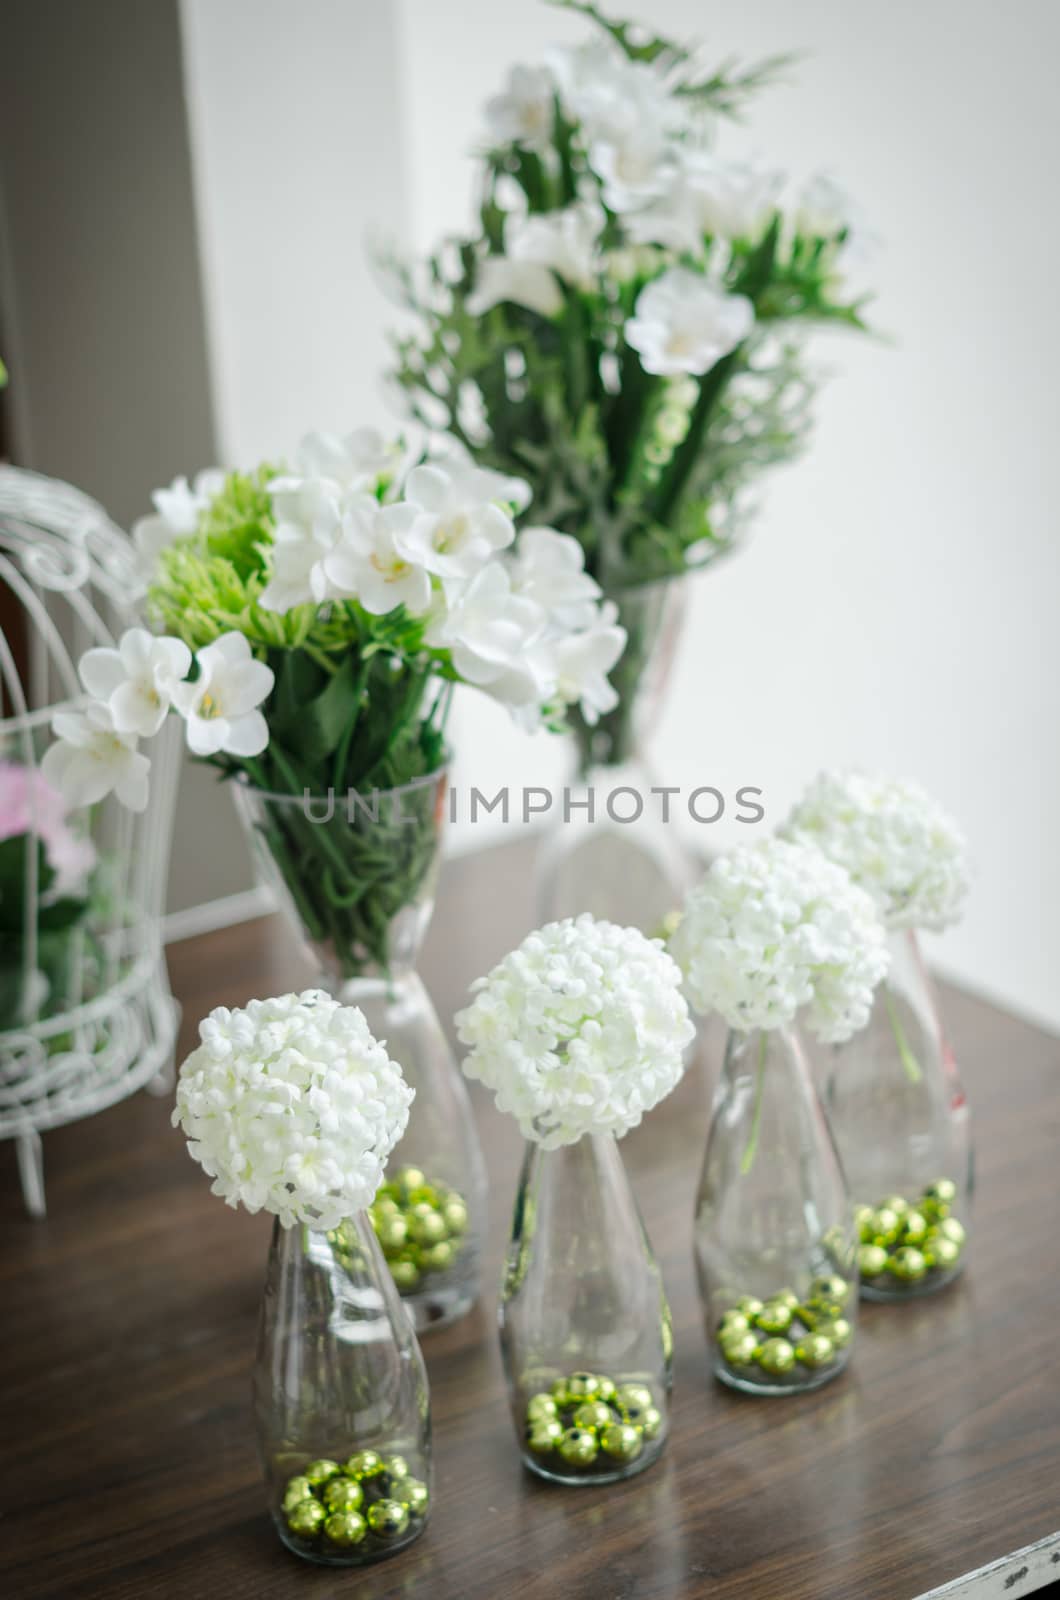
x=774 y=934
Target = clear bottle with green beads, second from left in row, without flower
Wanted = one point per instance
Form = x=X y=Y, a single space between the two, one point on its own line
x=585 y=1322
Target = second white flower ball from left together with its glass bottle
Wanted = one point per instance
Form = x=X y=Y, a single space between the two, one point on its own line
x=579 y=1033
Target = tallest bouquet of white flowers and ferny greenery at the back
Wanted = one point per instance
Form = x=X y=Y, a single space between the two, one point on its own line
x=627 y=326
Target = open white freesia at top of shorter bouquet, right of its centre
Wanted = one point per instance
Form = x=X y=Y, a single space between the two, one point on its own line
x=457 y=526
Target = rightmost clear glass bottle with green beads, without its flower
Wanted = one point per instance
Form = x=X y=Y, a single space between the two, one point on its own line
x=904 y=1130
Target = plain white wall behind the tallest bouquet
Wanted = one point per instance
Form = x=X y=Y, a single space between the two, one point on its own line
x=897 y=602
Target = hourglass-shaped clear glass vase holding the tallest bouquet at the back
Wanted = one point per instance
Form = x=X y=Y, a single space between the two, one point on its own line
x=616 y=849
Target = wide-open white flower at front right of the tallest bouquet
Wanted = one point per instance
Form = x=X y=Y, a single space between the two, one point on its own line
x=685 y=326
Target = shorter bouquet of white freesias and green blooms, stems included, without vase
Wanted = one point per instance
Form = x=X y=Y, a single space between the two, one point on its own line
x=310 y=626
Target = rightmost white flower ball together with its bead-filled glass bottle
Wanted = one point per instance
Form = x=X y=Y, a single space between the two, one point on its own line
x=894 y=1092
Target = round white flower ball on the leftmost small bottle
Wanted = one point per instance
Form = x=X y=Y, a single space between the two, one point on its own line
x=292 y=1106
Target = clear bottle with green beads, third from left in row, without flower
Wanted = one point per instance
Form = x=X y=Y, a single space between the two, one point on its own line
x=774 y=1234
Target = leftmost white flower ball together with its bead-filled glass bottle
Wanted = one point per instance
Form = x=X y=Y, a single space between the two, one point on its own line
x=292 y=1106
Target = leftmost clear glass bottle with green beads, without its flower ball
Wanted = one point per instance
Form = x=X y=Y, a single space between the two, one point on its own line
x=342 y=1399
